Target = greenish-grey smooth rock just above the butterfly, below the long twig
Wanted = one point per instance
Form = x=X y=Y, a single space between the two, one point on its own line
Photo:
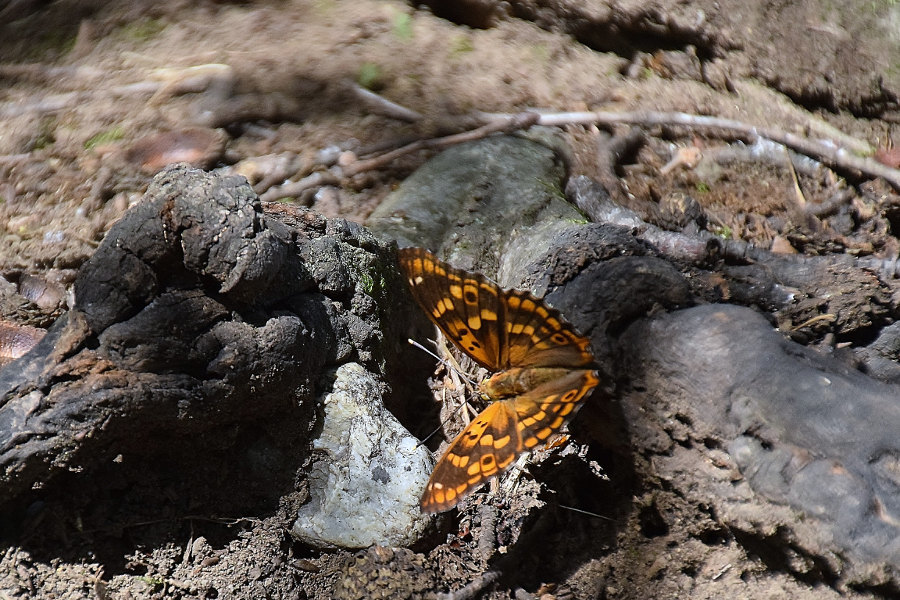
x=488 y=206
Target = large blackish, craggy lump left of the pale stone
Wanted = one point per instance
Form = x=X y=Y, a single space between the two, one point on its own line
x=200 y=331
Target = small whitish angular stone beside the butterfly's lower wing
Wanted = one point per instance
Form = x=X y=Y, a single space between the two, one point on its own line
x=366 y=484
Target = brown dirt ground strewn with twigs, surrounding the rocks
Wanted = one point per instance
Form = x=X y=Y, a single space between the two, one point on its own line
x=271 y=89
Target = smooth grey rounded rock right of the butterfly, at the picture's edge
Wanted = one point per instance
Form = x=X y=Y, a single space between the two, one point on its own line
x=805 y=430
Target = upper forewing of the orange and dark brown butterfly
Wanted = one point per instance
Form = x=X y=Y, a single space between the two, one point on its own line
x=466 y=307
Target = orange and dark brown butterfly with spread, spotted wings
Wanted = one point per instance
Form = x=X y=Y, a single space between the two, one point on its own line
x=543 y=369
